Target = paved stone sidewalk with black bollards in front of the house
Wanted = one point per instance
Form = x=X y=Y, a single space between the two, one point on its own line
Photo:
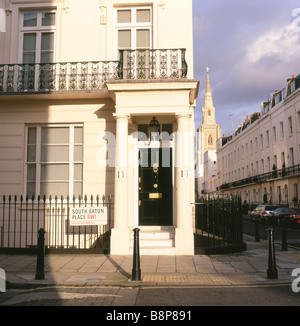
x=246 y=268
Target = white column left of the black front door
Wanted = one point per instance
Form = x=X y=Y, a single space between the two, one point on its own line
x=120 y=232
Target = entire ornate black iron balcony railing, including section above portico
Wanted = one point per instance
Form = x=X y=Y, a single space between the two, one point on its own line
x=89 y=76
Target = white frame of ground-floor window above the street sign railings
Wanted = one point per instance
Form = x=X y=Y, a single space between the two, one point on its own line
x=38 y=162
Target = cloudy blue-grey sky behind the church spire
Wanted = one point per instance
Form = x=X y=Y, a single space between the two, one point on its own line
x=251 y=47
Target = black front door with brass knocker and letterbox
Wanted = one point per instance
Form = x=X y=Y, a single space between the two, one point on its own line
x=155 y=186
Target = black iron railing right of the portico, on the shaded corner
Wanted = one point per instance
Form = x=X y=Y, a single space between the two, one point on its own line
x=218 y=224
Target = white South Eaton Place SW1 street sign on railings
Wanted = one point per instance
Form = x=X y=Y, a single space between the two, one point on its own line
x=84 y=216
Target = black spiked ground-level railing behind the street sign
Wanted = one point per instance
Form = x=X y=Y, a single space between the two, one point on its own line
x=21 y=218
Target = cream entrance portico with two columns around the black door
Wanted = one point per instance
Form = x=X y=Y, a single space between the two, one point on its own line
x=139 y=186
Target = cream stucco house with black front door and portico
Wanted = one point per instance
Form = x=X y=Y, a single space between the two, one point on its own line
x=97 y=97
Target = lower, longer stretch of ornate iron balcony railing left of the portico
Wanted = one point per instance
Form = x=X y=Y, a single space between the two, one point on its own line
x=50 y=77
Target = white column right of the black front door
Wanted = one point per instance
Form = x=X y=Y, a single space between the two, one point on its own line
x=184 y=241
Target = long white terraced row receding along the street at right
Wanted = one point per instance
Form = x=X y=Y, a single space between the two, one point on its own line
x=261 y=160
